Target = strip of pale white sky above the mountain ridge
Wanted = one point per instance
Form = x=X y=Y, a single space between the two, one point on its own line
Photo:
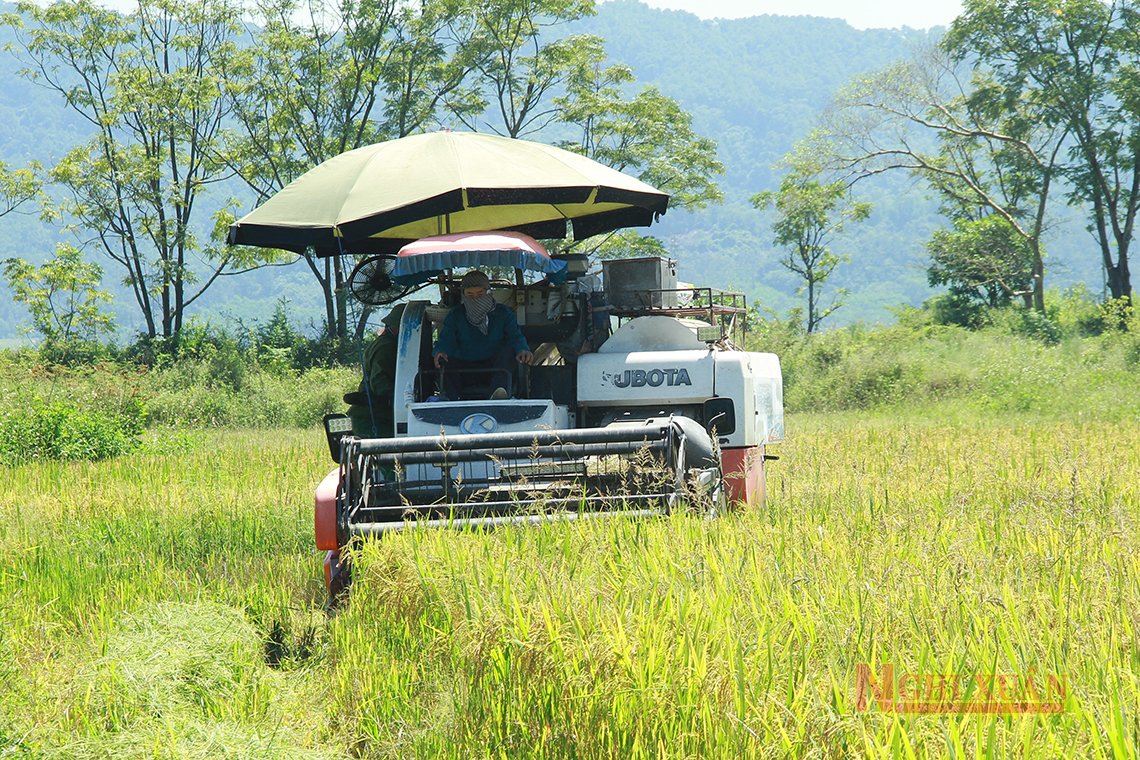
x=860 y=14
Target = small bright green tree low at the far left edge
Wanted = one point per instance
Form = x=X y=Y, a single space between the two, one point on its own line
x=63 y=297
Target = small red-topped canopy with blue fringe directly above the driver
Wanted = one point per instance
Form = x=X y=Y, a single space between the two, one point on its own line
x=422 y=260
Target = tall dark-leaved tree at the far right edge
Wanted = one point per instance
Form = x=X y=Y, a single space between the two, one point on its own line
x=1076 y=63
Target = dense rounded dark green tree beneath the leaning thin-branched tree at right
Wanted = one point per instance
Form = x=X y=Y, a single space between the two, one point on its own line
x=984 y=261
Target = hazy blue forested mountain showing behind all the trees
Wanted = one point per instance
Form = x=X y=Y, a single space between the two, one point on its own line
x=753 y=85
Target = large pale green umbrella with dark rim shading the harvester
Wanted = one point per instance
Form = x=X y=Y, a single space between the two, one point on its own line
x=378 y=199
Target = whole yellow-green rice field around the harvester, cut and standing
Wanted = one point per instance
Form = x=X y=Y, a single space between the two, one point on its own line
x=168 y=603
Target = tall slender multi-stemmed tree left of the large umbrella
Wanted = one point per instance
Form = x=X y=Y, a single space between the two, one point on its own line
x=149 y=85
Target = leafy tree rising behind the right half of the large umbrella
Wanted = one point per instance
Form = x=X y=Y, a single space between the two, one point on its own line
x=569 y=85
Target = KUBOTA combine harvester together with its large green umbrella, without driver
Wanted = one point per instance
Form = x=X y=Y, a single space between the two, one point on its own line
x=669 y=410
